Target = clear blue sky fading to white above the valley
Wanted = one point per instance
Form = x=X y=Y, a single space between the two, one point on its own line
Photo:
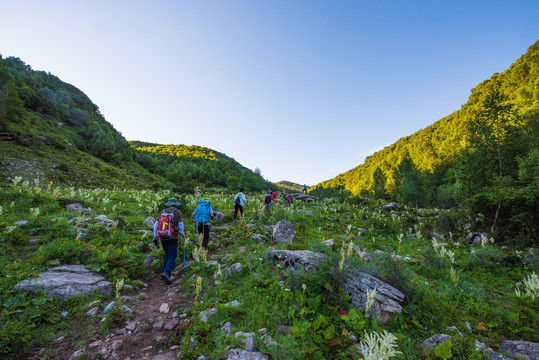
x=302 y=90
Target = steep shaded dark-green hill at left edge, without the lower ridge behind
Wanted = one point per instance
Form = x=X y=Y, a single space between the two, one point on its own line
x=52 y=131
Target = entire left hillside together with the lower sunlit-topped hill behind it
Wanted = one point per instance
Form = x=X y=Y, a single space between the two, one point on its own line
x=52 y=131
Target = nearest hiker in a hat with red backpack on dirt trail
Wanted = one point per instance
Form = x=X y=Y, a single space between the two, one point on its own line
x=168 y=228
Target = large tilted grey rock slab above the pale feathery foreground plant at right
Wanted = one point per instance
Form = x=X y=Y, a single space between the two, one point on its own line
x=386 y=301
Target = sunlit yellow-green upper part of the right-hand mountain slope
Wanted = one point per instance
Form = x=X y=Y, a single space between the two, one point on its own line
x=438 y=143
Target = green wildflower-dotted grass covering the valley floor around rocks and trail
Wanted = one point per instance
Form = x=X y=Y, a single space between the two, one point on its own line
x=270 y=297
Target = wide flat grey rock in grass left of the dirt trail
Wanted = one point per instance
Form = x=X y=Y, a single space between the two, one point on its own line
x=66 y=281
